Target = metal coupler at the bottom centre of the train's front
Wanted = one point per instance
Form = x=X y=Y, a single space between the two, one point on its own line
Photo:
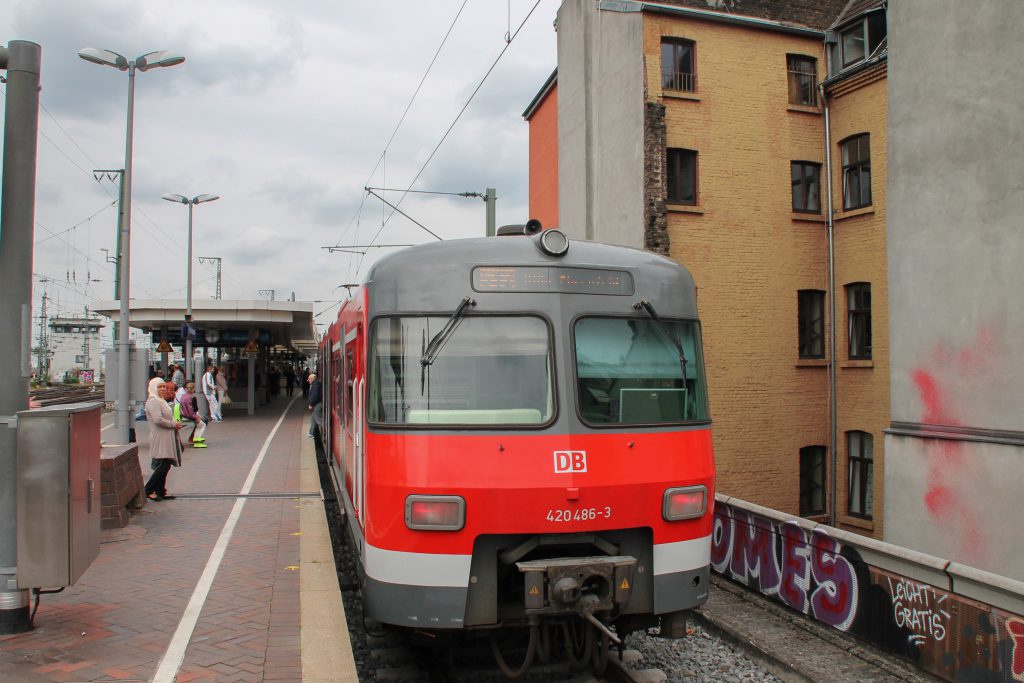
x=582 y=585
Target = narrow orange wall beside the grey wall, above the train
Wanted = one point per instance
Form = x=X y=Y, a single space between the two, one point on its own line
x=544 y=161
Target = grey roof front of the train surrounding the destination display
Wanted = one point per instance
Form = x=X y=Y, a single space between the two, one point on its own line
x=435 y=278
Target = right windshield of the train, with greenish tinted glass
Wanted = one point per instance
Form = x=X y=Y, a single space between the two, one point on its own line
x=639 y=372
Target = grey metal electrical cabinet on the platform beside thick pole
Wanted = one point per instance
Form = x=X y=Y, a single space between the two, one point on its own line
x=58 y=494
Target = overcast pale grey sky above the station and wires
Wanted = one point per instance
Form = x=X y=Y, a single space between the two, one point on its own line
x=285 y=111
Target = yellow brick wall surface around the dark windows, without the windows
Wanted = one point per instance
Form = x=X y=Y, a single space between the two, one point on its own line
x=750 y=254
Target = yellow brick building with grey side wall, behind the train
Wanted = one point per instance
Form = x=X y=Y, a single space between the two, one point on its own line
x=698 y=130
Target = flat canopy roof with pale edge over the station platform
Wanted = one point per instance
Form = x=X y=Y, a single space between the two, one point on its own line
x=286 y=326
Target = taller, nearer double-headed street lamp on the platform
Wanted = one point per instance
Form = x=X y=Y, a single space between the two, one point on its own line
x=144 y=63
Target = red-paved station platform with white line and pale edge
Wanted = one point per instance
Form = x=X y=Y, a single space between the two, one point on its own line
x=234 y=580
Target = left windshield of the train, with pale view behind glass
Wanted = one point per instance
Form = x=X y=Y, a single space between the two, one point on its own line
x=489 y=371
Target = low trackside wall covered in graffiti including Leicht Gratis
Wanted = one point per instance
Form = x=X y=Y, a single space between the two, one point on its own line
x=812 y=572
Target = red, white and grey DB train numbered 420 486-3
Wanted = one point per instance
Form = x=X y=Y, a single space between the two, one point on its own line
x=520 y=434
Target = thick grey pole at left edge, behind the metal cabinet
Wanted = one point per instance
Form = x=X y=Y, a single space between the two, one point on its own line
x=22 y=61
